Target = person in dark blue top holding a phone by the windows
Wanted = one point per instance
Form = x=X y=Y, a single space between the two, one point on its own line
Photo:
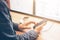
x=7 y=27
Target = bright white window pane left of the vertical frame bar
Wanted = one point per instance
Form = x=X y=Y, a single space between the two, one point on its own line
x=25 y=6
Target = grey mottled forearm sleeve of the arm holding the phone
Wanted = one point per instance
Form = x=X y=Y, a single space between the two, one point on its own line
x=31 y=35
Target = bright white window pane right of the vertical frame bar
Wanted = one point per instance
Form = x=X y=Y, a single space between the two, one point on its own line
x=48 y=8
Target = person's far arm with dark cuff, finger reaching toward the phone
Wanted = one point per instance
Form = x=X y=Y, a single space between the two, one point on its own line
x=21 y=26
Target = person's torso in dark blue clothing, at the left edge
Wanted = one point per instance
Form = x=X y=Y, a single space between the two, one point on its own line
x=6 y=26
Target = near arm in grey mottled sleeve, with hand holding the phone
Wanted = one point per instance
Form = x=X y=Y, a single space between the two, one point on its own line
x=33 y=34
